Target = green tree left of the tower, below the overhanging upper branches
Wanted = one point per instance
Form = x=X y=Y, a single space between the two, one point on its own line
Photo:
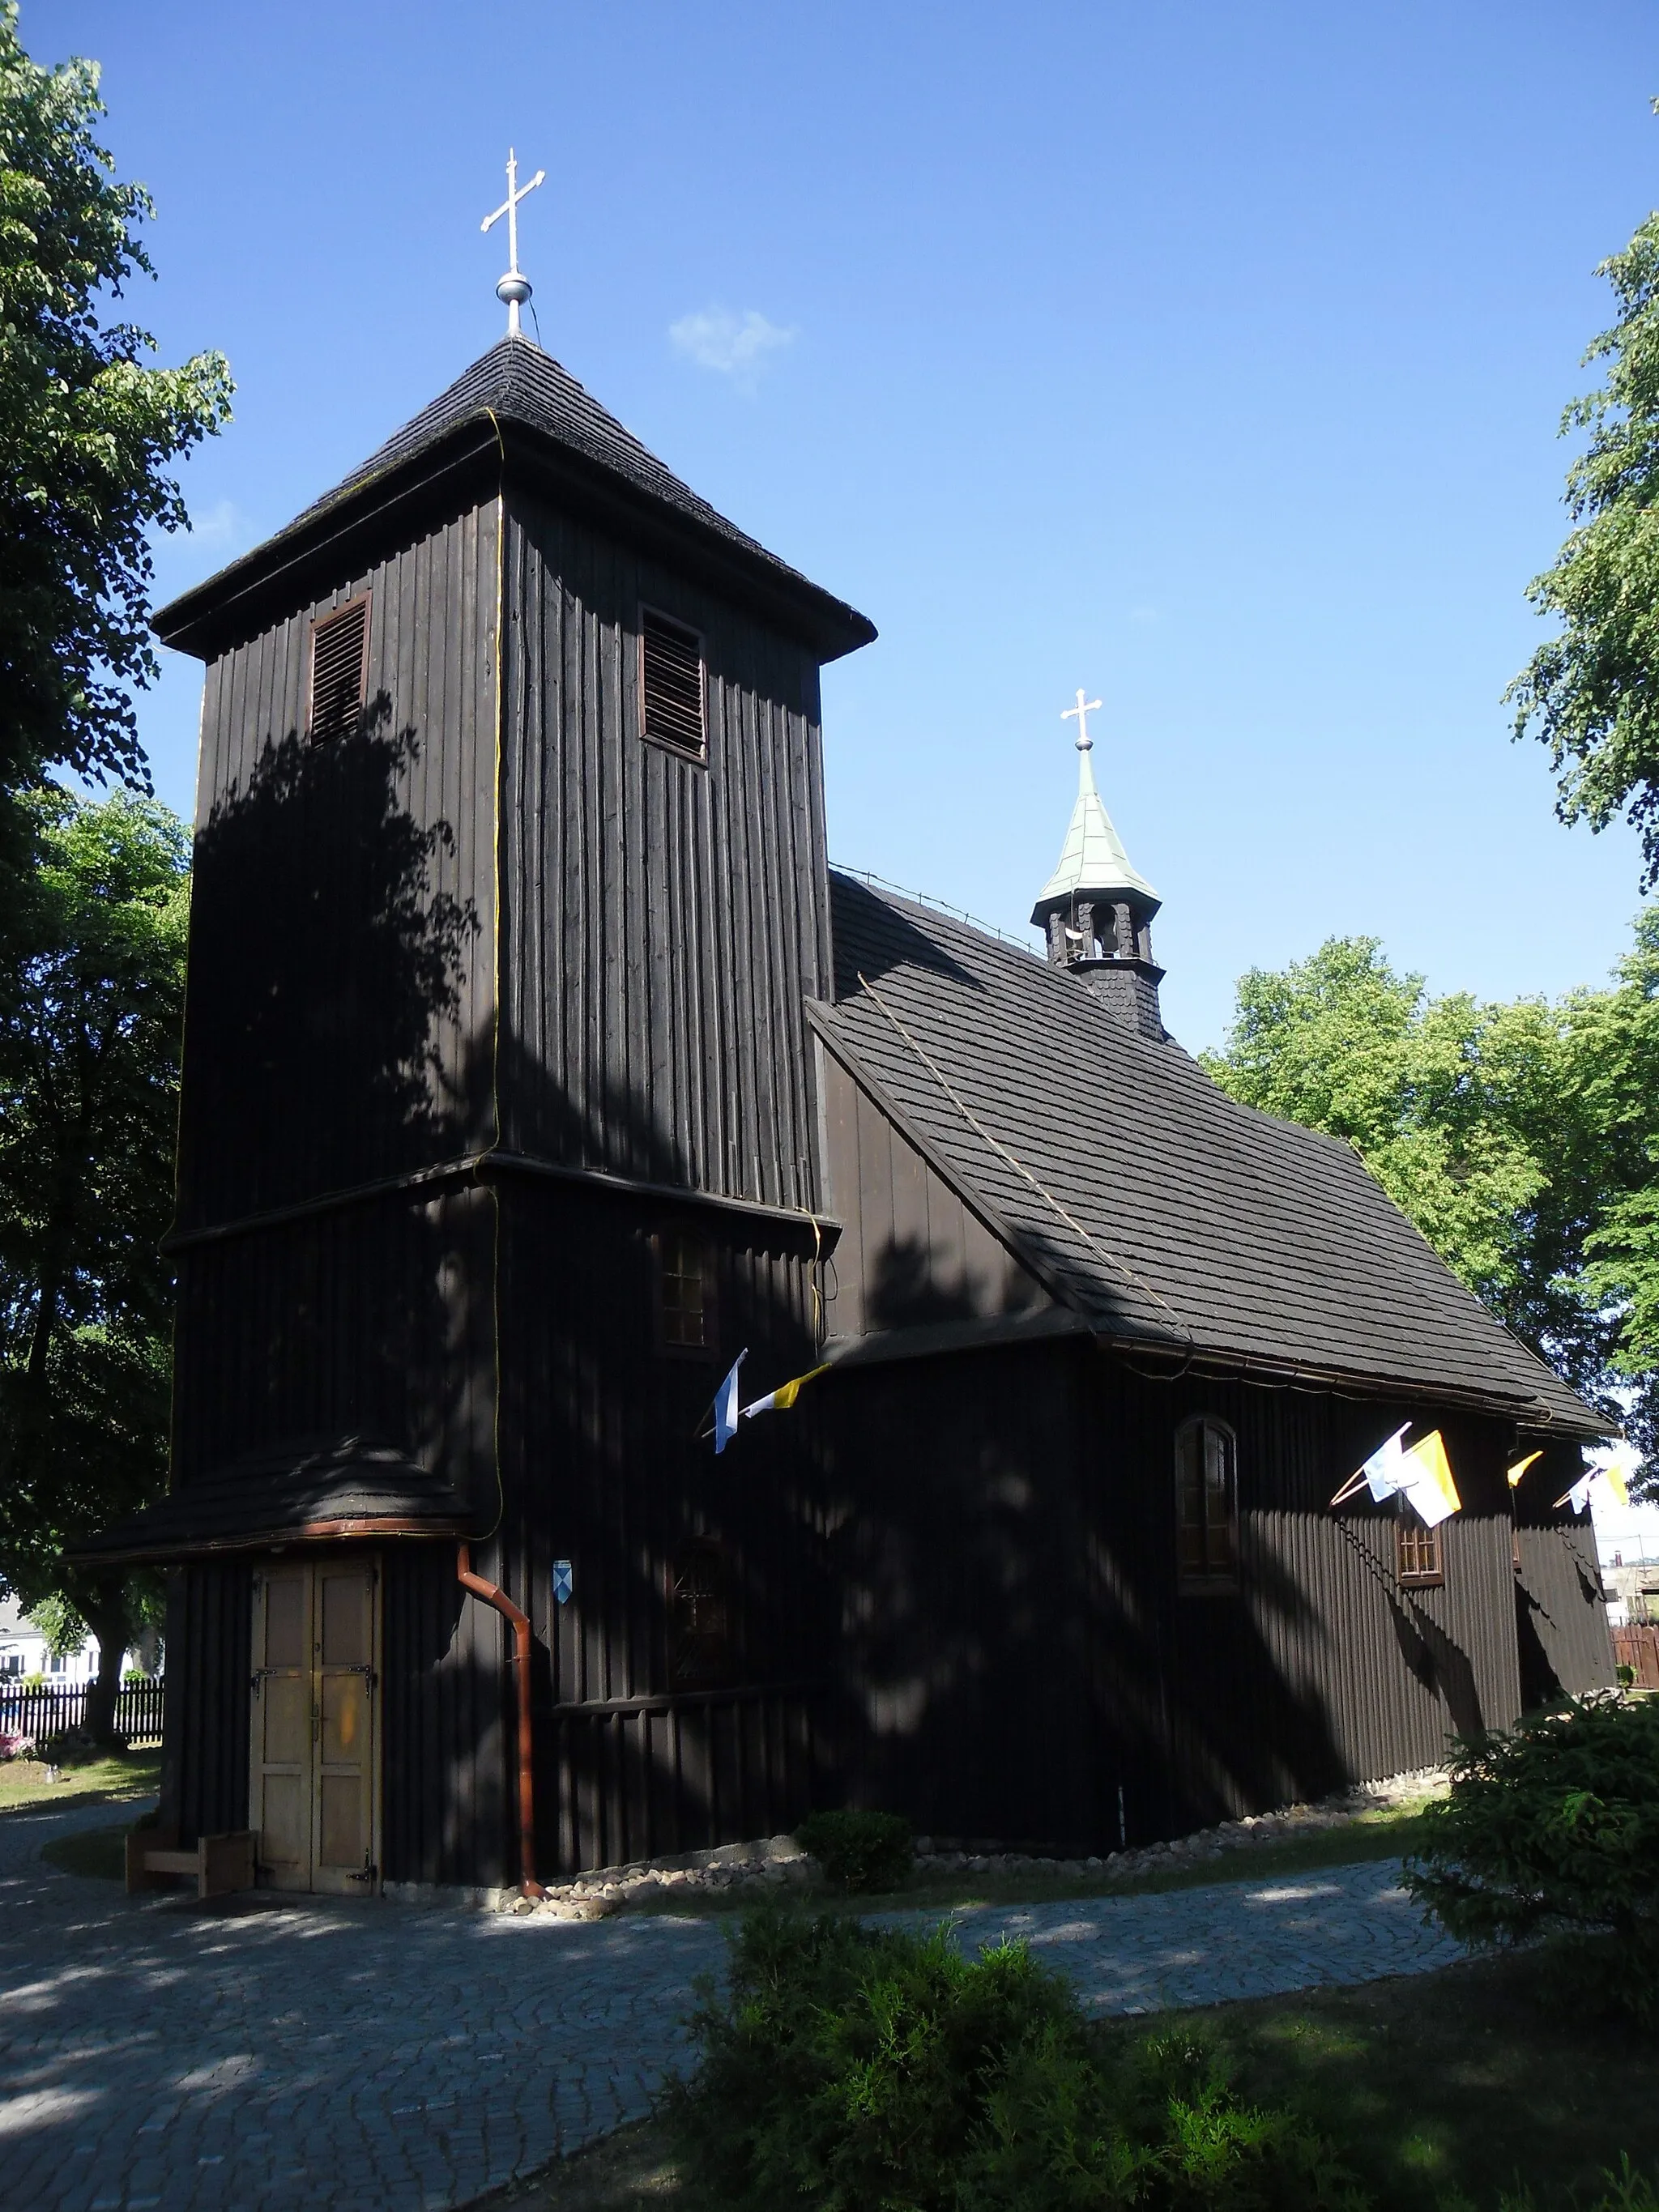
x=90 y=1067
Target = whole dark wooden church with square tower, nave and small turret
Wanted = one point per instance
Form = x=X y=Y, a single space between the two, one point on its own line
x=539 y=1065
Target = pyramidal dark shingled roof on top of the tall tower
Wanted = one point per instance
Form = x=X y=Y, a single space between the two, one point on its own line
x=517 y=386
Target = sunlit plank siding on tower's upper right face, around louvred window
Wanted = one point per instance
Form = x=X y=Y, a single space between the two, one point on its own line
x=662 y=919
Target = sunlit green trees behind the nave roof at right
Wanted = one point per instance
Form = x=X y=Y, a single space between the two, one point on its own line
x=1519 y=1138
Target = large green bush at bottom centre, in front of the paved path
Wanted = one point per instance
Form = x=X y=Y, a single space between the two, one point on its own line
x=851 y=2069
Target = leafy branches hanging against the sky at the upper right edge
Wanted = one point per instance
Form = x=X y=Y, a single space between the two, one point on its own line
x=1592 y=693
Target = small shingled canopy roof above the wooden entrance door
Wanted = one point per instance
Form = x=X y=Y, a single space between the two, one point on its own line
x=311 y=1488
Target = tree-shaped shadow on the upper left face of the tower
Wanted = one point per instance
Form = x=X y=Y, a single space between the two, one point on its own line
x=333 y=961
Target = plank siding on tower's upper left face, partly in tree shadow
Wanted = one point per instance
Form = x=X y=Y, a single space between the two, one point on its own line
x=340 y=1012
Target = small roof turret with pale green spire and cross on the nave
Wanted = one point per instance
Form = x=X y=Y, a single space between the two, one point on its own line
x=1096 y=912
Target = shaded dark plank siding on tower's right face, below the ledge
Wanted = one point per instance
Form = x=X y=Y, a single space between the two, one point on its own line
x=603 y=1465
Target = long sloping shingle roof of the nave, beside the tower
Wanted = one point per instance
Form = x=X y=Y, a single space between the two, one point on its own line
x=1149 y=1200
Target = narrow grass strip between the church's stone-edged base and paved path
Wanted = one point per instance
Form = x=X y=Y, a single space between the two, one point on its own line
x=1381 y=1835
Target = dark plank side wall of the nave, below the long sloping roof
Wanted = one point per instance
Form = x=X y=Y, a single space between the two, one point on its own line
x=1019 y=1647
